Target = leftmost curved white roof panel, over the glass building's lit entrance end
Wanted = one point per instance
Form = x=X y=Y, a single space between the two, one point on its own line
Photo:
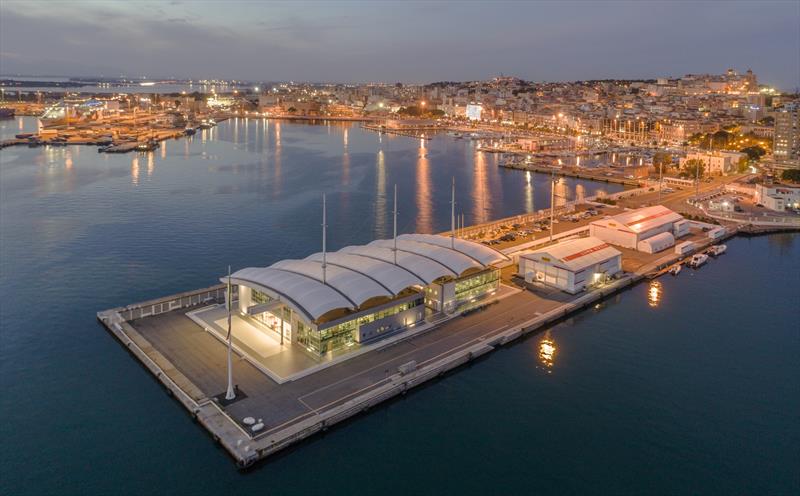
x=306 y=294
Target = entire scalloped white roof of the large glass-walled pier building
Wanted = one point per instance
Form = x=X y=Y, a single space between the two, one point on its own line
x=356 y=274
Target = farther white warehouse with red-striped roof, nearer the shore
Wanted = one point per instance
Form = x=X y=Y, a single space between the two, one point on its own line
x=629 y=228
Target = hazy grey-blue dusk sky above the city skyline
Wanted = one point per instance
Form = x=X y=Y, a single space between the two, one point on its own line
x=410 y=41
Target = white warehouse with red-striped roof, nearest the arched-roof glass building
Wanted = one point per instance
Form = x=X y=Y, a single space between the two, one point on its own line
x=571 y=266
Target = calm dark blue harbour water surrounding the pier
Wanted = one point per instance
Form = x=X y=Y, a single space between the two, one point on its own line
x=697 y=392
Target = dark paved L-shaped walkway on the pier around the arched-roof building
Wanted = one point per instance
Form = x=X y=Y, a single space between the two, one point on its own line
x=201 y=357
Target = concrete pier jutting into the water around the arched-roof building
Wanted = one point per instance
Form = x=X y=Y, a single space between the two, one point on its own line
x=189 y=360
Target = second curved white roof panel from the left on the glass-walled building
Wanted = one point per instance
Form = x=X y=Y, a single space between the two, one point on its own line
x=356 y=287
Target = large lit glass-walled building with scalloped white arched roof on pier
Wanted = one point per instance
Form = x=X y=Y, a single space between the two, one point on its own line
x=333 y=302
